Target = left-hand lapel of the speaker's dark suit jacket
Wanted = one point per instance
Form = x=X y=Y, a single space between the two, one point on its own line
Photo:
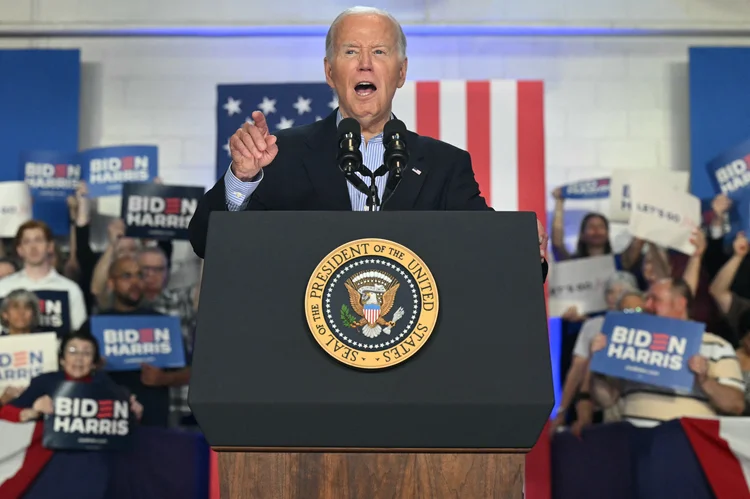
x=328 y=181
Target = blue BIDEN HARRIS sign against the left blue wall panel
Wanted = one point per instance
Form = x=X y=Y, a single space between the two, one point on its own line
x=51 y=177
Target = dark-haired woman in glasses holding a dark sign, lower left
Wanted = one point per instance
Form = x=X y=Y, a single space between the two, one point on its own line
x=79 y=357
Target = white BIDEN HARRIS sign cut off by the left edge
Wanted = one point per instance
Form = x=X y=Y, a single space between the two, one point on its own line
x=24 y=356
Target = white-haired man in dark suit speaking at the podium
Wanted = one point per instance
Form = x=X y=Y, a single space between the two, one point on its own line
x=295 y=169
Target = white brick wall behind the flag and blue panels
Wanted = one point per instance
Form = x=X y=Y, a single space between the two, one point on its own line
x=610 y=102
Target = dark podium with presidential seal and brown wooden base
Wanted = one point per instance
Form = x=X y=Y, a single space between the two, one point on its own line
x=292 y=421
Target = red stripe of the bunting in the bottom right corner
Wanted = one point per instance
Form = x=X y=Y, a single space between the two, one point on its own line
x=719 y=463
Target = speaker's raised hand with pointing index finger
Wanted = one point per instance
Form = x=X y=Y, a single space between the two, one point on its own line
x=252 y=148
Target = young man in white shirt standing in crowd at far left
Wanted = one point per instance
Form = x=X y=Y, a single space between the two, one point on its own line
x=35 y=246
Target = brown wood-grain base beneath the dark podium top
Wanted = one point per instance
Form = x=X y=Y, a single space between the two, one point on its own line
x=363 y=475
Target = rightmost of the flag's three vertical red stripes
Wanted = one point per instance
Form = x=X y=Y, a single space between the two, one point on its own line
x=531 y=185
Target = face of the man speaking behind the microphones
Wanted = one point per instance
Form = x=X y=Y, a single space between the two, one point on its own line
x=365 y=51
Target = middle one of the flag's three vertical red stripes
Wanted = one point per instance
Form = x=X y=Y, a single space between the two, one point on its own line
x=478 y=132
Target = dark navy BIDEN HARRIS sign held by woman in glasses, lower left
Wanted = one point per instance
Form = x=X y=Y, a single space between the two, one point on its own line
x=88 y=416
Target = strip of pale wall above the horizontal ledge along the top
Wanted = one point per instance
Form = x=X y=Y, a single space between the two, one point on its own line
x=240 y=12
